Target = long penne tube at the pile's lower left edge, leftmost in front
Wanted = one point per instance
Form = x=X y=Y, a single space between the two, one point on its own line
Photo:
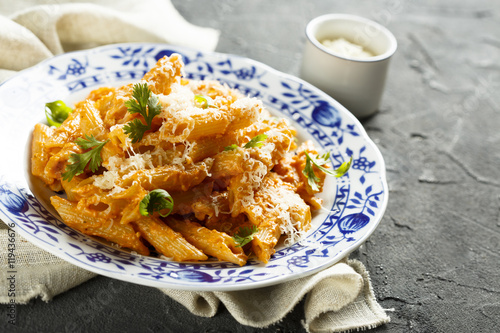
x=90 y=223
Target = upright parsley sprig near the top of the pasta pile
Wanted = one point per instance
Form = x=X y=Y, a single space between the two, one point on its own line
x=147 y=105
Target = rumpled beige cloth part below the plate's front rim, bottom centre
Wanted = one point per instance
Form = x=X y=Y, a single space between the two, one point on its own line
x=339 y=299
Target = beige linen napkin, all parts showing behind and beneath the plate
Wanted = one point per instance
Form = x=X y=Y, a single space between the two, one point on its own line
x=337 y=299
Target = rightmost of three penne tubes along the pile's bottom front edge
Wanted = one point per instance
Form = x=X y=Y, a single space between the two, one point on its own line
x=211 y=242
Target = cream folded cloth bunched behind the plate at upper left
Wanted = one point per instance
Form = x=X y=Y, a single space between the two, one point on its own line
x=32 y=34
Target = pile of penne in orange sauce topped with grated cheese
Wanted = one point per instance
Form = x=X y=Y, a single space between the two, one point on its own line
x=197 y=149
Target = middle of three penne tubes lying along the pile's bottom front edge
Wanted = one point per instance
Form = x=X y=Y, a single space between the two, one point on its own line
x=167 y=241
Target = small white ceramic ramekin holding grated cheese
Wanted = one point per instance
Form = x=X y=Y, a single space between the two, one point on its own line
x=358 y=84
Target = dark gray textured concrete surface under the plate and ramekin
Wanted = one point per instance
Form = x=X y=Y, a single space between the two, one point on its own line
x=435 y=258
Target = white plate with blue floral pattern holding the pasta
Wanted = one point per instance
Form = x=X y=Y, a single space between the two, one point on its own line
x=353 y=204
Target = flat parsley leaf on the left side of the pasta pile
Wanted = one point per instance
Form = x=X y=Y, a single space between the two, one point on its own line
x=78 y=162
